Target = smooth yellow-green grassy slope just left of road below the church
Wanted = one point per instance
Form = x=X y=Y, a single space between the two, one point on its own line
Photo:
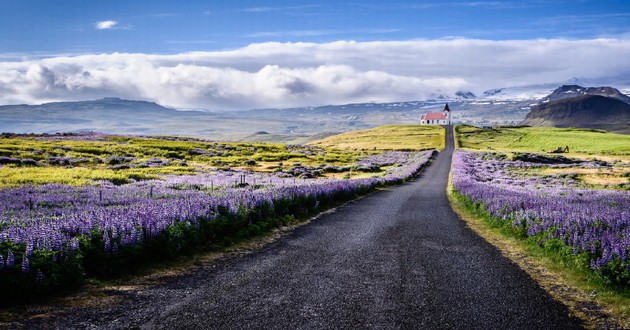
x=399 y=137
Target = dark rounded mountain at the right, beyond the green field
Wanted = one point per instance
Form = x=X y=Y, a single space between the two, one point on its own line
x=575 y=106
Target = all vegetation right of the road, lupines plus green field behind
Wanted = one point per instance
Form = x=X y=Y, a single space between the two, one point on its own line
x=569 y=210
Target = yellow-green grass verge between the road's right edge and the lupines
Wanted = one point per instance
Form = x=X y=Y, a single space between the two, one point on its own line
x=596 y=304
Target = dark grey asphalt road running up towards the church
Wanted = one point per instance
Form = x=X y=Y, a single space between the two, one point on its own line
x=396 y=259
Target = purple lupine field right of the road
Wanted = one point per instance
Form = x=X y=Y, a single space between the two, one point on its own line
x=557 y=211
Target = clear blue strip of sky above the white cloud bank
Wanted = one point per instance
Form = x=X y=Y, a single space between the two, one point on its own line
x=166 y=27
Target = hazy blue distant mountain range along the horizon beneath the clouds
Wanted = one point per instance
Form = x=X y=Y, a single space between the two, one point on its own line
x=298 y=125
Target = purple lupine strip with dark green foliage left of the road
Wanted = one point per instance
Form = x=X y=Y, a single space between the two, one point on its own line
x=53 y=235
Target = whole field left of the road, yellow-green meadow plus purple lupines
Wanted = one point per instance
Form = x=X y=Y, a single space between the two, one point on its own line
x=81 y=205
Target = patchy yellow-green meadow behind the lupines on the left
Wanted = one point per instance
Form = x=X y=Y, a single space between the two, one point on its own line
x=79 y=160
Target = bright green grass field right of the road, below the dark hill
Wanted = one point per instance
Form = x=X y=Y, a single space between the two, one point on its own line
x=544 y=139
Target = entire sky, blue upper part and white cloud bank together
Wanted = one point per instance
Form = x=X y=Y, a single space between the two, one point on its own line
x=235 y=55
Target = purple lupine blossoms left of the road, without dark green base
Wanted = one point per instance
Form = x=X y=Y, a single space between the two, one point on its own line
x=134 y=212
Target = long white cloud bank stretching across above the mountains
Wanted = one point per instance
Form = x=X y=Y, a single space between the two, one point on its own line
x=300 y=74
